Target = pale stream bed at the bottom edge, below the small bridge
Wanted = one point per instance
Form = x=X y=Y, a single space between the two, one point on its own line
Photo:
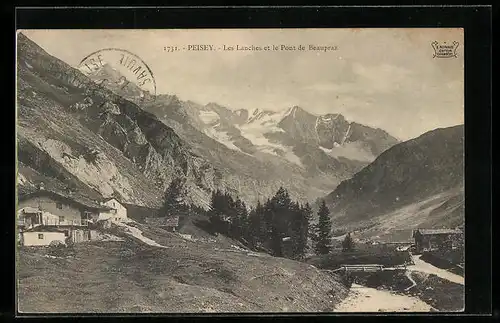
x=365 y=299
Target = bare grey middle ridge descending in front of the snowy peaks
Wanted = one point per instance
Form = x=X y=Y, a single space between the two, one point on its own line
x=252 y=177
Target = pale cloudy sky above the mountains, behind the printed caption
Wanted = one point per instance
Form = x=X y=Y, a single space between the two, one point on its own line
x=384 y=78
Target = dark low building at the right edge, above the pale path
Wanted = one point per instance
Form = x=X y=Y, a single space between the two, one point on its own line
x=437 y=239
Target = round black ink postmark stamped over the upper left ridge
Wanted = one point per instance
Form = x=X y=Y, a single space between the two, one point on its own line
x=122 y=72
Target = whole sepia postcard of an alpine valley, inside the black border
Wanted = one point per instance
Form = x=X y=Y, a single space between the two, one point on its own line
x=240 y=170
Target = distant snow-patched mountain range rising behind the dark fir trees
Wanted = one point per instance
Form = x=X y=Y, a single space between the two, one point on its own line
x=256 y=150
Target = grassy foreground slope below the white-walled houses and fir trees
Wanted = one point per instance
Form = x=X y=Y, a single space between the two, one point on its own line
x=184 y=276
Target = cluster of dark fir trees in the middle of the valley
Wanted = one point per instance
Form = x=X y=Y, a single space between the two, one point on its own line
x=281 y=226
